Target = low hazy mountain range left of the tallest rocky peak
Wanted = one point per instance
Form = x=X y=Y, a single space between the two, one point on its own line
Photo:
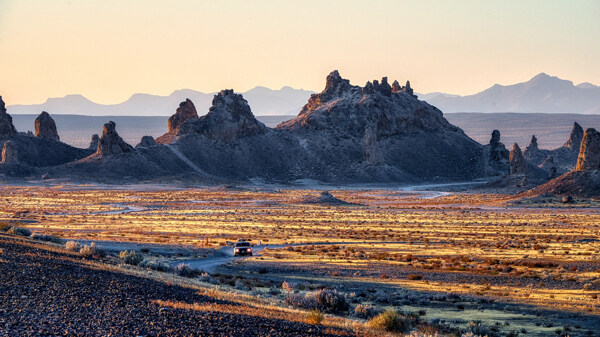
x=264 y=101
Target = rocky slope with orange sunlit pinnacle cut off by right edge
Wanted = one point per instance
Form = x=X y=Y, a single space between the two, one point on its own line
x=584 y=179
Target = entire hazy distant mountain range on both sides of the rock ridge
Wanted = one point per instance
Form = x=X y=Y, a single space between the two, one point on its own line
x=543 y=93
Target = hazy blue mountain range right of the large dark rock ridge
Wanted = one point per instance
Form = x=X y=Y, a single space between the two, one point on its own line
x=543 y=93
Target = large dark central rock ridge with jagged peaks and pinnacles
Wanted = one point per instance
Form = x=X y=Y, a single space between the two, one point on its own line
x=345 y=134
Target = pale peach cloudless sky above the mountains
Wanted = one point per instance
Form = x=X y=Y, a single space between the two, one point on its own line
x=107 y=50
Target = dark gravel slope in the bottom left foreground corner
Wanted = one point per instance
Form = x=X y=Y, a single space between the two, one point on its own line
x=45 y=293
